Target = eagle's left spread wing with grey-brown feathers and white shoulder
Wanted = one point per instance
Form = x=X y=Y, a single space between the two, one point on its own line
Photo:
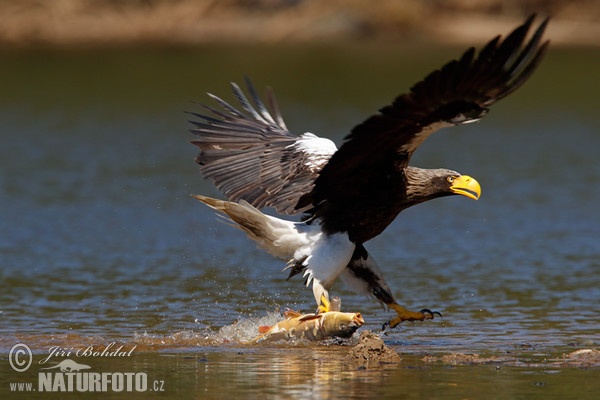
x=252 y=156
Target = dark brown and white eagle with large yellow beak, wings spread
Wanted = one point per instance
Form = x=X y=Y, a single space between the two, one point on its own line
x=347 y=196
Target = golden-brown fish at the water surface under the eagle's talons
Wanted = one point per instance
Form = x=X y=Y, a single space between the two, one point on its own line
x=312 y=327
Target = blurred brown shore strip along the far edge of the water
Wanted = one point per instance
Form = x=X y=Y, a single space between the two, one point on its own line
x=82 y=23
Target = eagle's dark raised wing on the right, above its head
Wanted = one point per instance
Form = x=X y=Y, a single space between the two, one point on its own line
x=460 y=92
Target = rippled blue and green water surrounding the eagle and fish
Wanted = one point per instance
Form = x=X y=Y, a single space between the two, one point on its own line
x=101 y=243
